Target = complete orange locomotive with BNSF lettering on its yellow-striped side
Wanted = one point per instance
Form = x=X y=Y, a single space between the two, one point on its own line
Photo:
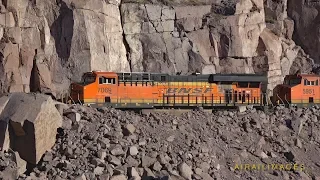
x=152 y=90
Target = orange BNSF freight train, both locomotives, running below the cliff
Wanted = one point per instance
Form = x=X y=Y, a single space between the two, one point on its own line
x=158 y=90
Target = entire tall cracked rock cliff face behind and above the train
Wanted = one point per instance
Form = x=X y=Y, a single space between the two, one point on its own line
x=47 y=44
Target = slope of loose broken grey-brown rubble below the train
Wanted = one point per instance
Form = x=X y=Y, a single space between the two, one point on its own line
x=111 y=144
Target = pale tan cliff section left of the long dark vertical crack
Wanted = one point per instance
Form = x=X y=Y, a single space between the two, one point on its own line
x=47 y=44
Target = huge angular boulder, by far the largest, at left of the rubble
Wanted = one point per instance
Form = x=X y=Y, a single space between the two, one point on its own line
x=34 y=120
